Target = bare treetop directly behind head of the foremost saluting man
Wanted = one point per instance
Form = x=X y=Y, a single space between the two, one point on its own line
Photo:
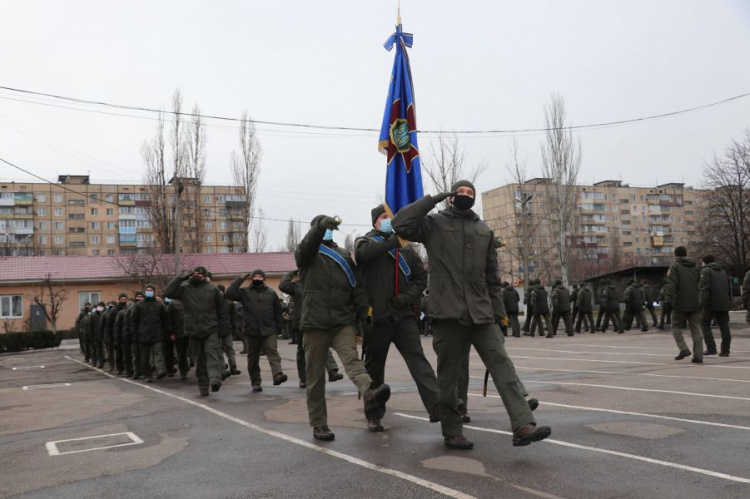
x=446 y=166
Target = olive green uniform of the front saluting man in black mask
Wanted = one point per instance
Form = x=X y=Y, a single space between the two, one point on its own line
x=465 y=301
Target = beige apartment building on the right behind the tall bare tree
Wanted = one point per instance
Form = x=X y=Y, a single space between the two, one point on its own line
x=614 y=226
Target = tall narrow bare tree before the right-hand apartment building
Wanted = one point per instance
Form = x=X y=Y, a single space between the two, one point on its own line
x=561 y=162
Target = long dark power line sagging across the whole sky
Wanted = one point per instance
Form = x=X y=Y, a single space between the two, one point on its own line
x=362 y=129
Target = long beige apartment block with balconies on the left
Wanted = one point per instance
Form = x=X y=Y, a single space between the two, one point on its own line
x=75 y=217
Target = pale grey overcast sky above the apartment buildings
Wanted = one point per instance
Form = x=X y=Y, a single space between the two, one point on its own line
x=476 y=65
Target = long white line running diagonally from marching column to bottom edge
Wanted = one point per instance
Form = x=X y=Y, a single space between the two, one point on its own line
x=323 y=450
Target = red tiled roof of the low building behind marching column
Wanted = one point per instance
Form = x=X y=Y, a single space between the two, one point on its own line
x=72 y=268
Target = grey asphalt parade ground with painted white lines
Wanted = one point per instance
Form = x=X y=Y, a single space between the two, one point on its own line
x=628 y=421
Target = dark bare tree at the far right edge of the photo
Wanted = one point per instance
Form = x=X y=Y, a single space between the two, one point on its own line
x=724 y=224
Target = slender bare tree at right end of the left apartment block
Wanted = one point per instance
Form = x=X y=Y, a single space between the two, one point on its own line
x=245 y=171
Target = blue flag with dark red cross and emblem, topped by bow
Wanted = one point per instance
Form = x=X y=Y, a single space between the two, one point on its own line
x=398 y=134
